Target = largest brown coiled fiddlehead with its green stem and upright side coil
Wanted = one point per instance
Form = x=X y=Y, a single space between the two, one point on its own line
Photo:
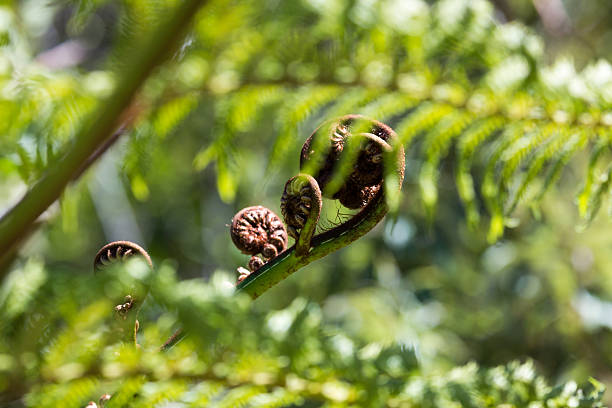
x=343 y=159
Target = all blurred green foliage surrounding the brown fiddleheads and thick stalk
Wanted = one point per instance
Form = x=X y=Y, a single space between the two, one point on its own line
x=497 y=103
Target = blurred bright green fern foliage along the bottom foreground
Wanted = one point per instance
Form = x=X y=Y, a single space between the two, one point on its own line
x=55 y=347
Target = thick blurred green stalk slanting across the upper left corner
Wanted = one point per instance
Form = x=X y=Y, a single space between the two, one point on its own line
x=97 y=130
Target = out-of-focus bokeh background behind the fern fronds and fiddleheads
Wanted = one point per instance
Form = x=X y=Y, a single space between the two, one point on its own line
x=544 y=291
